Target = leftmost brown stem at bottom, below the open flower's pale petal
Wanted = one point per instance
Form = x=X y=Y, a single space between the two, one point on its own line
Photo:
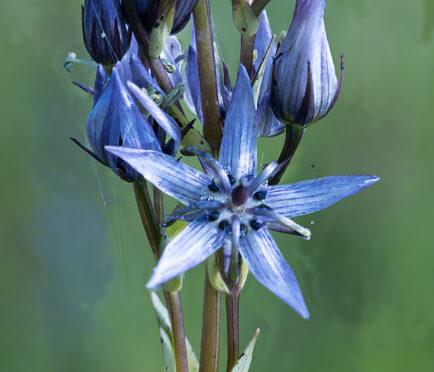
x=173 y=302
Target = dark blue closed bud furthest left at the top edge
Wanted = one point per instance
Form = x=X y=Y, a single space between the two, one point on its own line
x=104 y=31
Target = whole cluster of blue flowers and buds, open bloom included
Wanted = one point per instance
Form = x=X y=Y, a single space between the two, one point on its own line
x=137 y=126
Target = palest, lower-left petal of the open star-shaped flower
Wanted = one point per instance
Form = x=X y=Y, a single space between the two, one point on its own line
x=194 y=244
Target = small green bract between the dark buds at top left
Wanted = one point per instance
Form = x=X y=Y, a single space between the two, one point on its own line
x=161 y=28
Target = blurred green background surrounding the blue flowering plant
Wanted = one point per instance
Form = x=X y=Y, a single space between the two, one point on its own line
x=73 y=260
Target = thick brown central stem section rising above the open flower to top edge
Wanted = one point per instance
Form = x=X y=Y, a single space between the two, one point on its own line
x=207 y=73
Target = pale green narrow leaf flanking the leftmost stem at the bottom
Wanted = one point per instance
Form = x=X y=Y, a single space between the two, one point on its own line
x=167 y=338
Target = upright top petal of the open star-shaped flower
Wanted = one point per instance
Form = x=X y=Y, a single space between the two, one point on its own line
x=240 y=133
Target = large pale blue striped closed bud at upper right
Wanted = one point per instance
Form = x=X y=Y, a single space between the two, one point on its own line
x=305 y=87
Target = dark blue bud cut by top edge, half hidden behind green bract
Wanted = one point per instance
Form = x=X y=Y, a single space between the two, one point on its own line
x=150 y=10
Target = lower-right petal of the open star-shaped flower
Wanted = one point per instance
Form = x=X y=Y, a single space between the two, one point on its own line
x=269 y=267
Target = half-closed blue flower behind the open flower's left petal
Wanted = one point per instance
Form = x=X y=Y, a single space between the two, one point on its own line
x=117 y=120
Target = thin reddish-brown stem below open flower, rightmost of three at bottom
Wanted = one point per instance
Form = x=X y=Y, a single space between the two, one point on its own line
x=232 y=320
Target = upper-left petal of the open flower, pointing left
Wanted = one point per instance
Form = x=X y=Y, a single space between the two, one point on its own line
x=166 y=173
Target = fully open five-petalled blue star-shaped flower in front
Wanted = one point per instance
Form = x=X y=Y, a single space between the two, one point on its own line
x=230 y=203
